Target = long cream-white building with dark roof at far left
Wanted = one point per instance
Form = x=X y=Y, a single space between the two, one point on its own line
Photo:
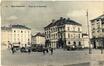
x=18 y=35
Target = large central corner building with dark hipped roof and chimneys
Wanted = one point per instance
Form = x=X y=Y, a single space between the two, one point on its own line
x=63 y=32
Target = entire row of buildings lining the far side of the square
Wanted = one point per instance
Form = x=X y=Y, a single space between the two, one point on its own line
x=59 y=33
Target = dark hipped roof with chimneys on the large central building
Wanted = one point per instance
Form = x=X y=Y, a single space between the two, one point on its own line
x=63 y=21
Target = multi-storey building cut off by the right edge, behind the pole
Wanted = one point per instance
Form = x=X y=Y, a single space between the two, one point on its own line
x=97 y=28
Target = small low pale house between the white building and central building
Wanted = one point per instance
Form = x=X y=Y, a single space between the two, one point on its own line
x=38 y=39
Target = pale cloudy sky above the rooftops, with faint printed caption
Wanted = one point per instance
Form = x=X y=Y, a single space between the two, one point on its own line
x=38 y=14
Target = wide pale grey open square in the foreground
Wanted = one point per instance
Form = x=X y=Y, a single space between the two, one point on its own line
x=59 y=58
